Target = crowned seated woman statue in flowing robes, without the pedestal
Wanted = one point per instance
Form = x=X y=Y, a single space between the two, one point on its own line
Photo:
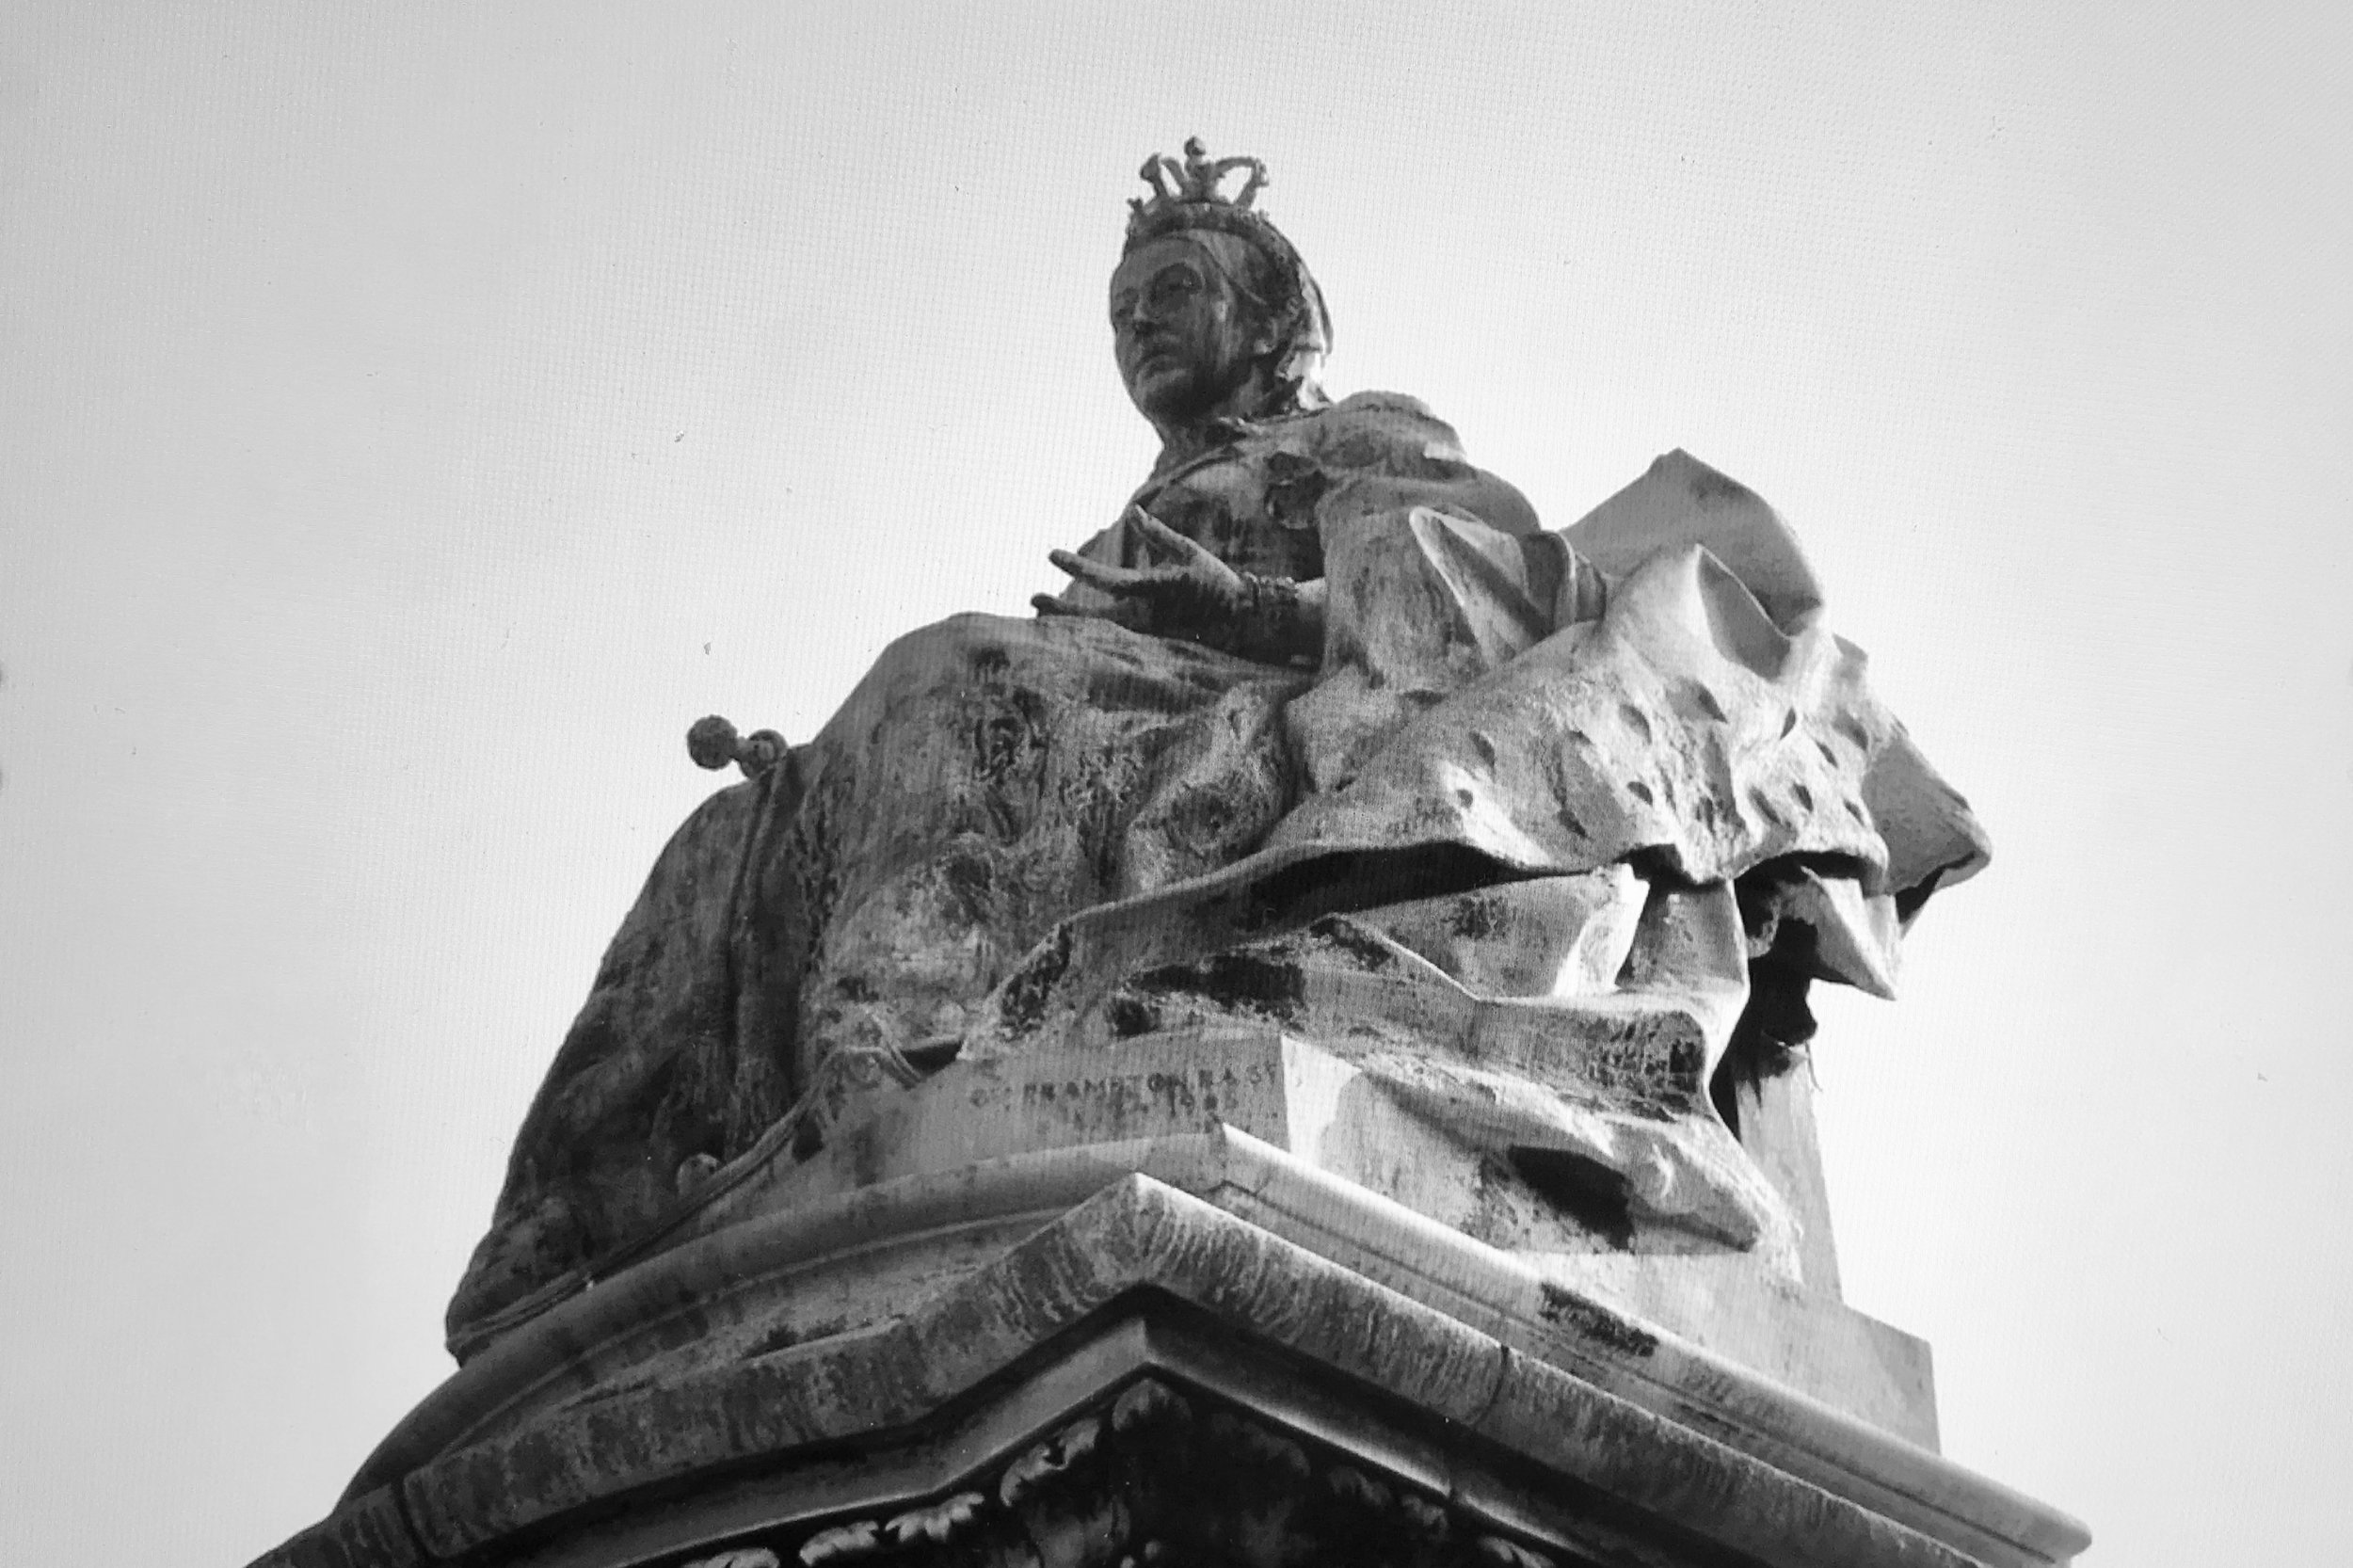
x=1326 y=731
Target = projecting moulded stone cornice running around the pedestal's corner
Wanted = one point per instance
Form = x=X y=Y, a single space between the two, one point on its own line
x=1133 y=1280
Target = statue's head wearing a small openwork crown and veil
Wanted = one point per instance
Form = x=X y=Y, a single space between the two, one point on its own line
x=1213 y=312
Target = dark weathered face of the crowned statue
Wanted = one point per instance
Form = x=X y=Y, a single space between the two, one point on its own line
x=1185 y=340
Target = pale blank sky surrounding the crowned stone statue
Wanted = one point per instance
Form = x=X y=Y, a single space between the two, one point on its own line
x=413 y=418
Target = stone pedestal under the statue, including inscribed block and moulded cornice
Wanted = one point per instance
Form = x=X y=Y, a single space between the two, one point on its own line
x=1173 y=1303
